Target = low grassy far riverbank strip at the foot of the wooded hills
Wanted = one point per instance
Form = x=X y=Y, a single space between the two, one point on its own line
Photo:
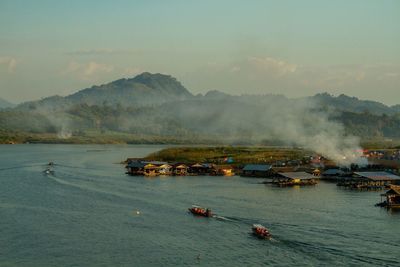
x=110 y=137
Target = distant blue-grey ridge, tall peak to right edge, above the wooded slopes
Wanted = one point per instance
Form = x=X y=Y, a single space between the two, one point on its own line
x=149 y=89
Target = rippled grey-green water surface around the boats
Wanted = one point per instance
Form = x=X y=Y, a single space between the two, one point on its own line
x=86 y=215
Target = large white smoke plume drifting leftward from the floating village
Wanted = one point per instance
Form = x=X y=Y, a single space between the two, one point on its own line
x=300 y=122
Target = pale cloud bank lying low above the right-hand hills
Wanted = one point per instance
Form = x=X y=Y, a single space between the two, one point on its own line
x=259 y=75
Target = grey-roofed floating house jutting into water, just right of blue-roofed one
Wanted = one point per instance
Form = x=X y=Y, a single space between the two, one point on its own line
x=294 y=178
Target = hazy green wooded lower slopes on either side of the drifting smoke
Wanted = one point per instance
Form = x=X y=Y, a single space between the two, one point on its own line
x=106 y=124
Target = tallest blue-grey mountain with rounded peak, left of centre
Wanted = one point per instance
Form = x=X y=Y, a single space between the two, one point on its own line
x=143 y=90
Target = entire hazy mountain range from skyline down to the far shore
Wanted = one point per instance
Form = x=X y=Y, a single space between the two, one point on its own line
x=158 y=105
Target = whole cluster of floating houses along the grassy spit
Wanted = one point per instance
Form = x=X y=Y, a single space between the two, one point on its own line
x=382 y=172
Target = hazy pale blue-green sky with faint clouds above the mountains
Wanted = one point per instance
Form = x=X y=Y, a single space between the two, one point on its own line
x=295 y=48
